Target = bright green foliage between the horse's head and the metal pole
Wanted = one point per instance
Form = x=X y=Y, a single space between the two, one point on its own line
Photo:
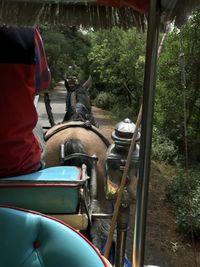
x=116 y=63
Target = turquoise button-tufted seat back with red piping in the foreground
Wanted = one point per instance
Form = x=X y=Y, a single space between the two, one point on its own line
x=29 y=239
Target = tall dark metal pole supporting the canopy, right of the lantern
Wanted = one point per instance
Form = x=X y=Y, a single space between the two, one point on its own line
x=146 y=134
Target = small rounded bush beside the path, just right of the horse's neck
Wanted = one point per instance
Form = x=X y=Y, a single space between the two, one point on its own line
x=104 y=100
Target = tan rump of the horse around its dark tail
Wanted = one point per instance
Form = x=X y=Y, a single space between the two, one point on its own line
x=92 y=142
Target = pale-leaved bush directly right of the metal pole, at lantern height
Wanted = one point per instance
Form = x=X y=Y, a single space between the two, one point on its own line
x=163 y=149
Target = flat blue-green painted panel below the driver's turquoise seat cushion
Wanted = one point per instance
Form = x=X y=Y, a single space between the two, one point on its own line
x=44 y=199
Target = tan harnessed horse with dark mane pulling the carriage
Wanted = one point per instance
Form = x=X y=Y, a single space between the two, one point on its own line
x=79 y=134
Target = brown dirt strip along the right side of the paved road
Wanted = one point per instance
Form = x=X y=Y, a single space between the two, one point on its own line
x=165 y=245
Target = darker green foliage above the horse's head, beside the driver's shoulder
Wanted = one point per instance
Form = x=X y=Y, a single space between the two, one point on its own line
x=67 y=50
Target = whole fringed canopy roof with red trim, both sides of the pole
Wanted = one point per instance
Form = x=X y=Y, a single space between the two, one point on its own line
x=96 y=13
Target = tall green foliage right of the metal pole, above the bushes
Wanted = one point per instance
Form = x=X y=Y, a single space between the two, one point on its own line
x=170 y=91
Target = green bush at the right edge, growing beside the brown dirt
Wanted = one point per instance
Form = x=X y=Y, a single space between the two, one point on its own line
x=184 y=195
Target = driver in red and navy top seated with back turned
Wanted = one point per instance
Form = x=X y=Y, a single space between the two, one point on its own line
x=24 y=73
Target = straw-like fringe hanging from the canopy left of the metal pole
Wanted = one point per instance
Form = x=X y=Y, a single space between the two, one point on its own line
x=34 y=12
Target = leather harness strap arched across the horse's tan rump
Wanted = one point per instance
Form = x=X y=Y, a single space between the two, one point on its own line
x=74 y=124
